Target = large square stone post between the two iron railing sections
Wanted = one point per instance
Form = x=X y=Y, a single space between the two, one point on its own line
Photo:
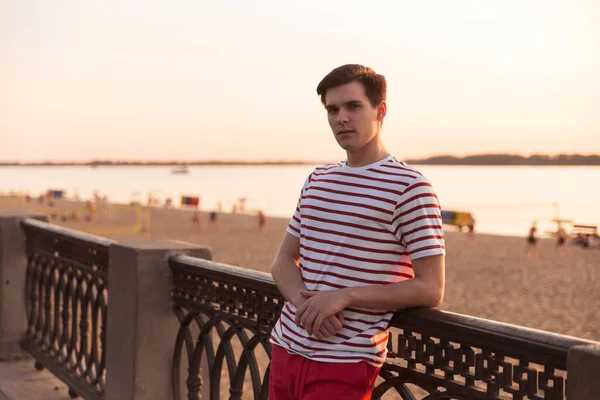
x=140 y=320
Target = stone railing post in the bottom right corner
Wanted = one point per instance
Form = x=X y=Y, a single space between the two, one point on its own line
x=583 y=372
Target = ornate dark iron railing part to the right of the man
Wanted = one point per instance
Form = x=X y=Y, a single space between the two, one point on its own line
x=450 y=356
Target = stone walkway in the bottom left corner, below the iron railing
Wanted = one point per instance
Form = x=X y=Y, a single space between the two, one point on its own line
x=19 y=380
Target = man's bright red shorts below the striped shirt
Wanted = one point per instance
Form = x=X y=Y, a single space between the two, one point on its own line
x=296 y=377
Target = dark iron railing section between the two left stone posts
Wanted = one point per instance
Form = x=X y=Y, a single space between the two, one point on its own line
x=67 y=297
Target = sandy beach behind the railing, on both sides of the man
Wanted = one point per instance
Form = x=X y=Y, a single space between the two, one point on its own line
x=487 y=276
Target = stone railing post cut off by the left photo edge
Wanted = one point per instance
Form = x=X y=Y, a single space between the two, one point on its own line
x=13 y=269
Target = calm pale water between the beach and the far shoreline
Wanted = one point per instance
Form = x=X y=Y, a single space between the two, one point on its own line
x=504 y=199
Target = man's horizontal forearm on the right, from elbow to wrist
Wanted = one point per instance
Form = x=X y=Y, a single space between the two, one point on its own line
x=395 y=296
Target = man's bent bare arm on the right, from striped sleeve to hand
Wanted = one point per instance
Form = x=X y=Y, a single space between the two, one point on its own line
x=426 y=289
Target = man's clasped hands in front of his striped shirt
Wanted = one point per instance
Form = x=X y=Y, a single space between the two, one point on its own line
x=321 y=313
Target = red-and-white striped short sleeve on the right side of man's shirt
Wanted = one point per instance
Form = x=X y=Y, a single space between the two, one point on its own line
x=417 y=220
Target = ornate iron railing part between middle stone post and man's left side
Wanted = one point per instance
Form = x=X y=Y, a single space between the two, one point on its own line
x=232 y=317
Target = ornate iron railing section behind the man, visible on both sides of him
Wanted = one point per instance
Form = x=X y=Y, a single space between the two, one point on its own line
x=432 y=354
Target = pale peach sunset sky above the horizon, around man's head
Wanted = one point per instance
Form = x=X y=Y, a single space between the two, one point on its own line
x=198 y=80
